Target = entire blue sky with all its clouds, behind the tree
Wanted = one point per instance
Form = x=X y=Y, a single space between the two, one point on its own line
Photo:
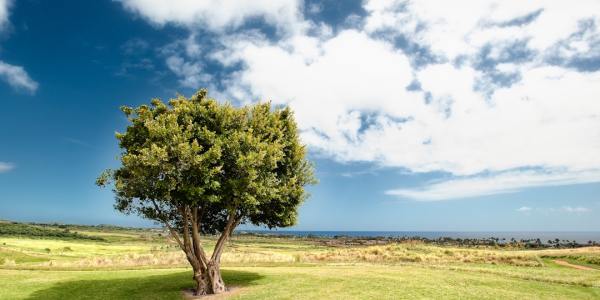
x=418 y=115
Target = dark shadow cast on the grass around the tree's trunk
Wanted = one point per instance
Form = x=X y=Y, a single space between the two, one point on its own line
x=167 y=286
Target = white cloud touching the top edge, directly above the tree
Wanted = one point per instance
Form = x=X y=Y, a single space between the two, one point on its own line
x=217 y=15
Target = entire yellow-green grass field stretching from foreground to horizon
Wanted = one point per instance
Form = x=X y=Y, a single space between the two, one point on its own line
x=137 y=264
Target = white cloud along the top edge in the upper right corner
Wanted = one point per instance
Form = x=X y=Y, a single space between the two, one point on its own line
x=454 y=28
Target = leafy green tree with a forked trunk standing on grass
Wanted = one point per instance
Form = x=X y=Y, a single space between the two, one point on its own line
x=202 y=167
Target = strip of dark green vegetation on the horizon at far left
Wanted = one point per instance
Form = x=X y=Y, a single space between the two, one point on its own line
x=20 y=229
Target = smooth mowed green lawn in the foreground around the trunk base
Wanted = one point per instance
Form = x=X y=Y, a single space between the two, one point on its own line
x=299 y=282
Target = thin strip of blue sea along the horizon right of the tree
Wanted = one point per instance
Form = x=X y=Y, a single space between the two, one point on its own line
x=581 y=237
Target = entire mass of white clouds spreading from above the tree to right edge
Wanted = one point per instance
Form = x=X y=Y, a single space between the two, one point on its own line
x=501 y=95
